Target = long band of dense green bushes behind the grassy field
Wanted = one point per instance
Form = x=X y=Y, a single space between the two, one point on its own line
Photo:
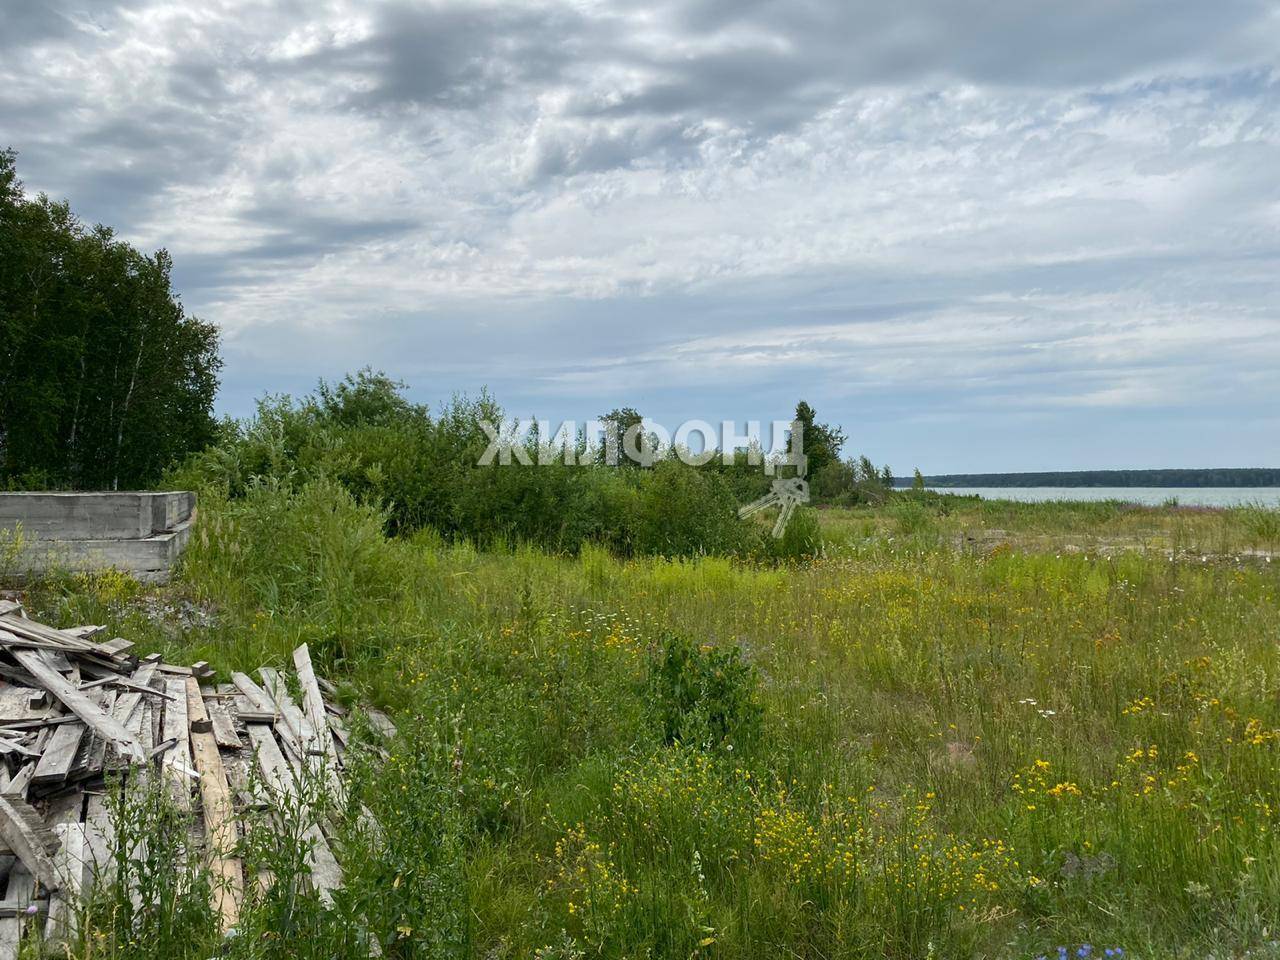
x=424 y=472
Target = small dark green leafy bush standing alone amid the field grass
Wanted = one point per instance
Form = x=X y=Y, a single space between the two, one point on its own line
x=705 y=697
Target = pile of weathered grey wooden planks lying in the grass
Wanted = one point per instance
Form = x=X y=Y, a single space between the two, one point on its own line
x=77 y=714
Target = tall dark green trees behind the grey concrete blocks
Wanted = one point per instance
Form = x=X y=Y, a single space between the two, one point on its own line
x=104 y=380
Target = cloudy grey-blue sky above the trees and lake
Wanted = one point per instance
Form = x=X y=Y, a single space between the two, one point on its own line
x=981 y=236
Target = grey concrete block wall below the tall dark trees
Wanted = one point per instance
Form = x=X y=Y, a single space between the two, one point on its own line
x=139 y=533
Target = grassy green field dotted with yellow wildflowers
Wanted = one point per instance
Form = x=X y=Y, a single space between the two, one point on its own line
x=966 y=732
